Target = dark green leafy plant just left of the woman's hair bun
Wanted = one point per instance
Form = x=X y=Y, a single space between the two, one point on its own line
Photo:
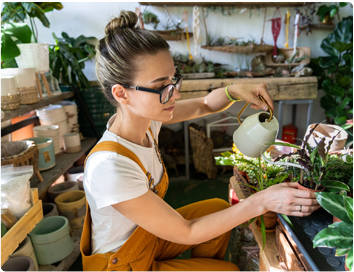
x=68 y=56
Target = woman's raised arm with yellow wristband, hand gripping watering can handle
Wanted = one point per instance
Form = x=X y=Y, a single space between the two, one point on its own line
x=217 y=101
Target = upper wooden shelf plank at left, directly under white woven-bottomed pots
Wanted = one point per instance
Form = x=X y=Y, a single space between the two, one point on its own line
x=42 y=103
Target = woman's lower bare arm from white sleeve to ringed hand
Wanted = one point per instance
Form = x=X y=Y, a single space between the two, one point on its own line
x=154 y=215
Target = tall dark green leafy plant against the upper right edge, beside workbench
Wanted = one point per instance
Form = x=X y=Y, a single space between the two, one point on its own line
x=335 y=74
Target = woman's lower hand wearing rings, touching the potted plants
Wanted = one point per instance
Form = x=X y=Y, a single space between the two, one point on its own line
x=285 y=198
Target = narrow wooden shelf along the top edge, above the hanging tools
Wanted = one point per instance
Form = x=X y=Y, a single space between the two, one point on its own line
x=230 y=3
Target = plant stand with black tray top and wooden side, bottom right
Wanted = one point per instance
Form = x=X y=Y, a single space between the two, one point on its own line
x=298 y=244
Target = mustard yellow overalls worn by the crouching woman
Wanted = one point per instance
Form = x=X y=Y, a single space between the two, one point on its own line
x=144 y=251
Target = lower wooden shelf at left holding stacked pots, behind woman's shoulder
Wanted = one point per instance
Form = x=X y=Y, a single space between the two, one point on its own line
x=63 y=162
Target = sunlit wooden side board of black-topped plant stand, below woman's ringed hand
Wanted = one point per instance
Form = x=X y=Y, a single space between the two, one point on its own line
x=286 y=252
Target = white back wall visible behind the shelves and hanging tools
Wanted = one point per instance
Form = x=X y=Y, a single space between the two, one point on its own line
x=90 y=17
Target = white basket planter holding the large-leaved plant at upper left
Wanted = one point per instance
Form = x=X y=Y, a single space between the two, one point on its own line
x=34 y=55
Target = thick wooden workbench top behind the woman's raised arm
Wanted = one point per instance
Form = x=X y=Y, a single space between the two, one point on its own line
x=279 y=88
